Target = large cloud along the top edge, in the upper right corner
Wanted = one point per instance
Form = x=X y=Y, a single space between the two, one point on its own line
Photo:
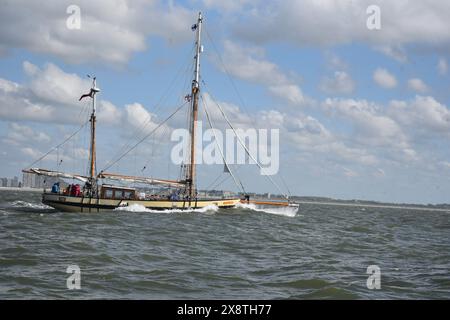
x=329 y=22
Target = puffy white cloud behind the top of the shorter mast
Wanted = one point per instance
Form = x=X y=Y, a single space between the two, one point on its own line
x=49 y=95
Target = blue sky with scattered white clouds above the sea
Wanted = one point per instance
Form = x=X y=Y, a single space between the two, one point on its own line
x=363 y=113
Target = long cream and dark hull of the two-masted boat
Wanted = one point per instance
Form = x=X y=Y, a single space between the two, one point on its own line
x=79 y=204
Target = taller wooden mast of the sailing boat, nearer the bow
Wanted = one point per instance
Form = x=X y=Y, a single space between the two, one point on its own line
x=195 y=94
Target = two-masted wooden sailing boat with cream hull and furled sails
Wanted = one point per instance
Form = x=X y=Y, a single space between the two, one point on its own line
x=96 y=197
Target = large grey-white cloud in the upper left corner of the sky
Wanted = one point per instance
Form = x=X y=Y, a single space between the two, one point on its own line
x=111 y=31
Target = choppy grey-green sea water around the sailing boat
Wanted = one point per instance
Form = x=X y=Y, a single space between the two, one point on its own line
x=244 y=254
